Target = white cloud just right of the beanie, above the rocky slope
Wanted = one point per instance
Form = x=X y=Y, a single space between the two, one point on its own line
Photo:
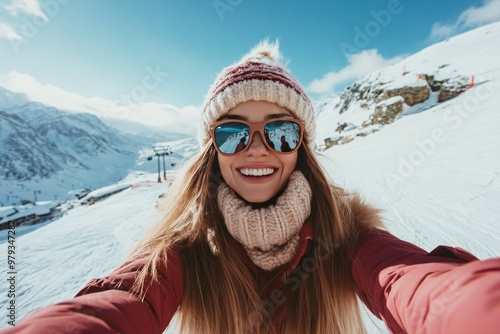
x=360 y=65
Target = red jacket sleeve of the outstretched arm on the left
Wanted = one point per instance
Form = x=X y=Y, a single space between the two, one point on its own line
x=106 y=305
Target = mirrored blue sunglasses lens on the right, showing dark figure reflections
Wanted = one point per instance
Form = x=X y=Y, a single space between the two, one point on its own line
x=282 y=136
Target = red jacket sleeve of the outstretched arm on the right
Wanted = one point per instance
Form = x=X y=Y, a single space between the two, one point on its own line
x=445 y=291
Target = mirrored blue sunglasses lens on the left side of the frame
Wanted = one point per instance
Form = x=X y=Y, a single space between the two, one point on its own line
x=231 y=137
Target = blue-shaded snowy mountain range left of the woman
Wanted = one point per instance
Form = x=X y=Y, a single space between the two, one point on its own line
x=45 y=152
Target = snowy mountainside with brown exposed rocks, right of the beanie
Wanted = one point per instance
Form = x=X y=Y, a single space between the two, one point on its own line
x=430 y=77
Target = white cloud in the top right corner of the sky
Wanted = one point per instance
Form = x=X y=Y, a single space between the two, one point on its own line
x=472 y=17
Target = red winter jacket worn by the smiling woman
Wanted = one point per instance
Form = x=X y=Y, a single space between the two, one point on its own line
x=445 y=291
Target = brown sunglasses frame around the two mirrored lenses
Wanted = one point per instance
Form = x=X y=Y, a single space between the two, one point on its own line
x=258 y=127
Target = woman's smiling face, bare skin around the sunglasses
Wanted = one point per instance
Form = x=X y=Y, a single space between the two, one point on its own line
x=238 y=170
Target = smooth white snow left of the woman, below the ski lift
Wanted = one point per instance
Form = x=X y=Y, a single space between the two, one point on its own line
x=56 y=260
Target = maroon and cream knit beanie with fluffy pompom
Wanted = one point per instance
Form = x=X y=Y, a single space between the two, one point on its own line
x=258 y=76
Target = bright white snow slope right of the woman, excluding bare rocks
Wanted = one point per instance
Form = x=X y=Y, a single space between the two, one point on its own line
x=436 y=173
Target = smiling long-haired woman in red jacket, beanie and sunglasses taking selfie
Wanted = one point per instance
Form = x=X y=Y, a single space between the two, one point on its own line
x=256 y=240
